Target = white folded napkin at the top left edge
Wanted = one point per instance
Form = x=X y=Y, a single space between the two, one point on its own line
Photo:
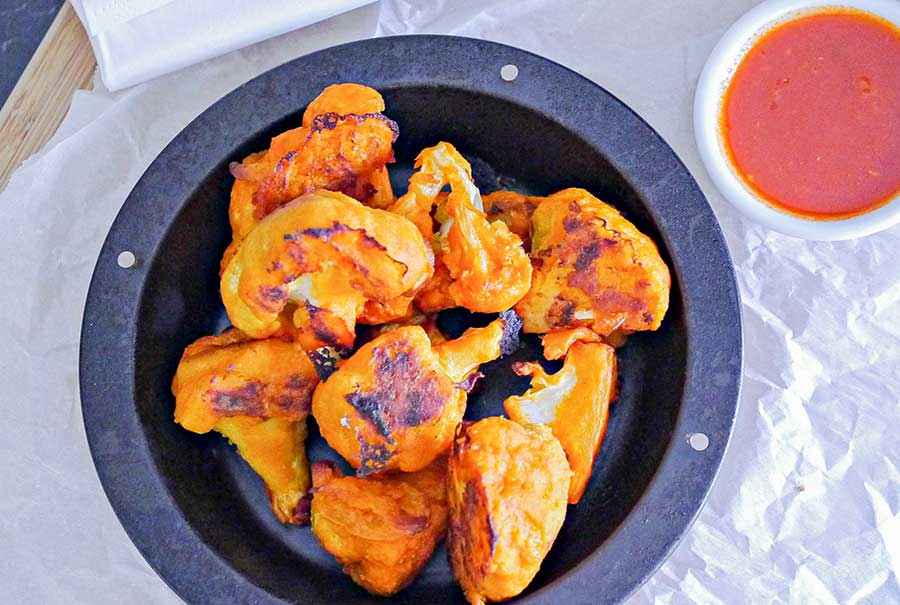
x=138 y=40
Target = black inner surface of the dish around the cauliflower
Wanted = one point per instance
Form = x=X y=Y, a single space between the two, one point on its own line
x=225 y=502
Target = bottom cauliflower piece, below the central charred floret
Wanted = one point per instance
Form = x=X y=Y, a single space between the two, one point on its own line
x=382 y=530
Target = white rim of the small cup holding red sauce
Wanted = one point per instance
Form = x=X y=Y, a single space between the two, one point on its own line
x=714 y=81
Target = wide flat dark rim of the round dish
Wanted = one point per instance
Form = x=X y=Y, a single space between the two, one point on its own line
x=701 y=264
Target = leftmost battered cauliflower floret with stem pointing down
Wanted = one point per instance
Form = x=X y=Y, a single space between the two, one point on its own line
x=257 y=394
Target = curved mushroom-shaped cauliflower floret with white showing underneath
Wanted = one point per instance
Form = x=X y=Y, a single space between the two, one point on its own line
x=327 y=256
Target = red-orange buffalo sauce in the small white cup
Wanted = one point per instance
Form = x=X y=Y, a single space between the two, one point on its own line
x=811 y=118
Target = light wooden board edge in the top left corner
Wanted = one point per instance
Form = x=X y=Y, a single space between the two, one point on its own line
x=63 y=63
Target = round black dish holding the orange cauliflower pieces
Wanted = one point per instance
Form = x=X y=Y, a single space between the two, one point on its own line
x=200 y=516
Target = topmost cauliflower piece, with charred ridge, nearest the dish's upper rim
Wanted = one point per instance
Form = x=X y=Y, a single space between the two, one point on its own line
x=309 y=156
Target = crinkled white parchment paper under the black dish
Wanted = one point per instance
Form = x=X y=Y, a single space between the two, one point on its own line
x=807 y=505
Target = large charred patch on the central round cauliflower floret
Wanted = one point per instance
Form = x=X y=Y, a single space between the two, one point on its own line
x=406 y=393
